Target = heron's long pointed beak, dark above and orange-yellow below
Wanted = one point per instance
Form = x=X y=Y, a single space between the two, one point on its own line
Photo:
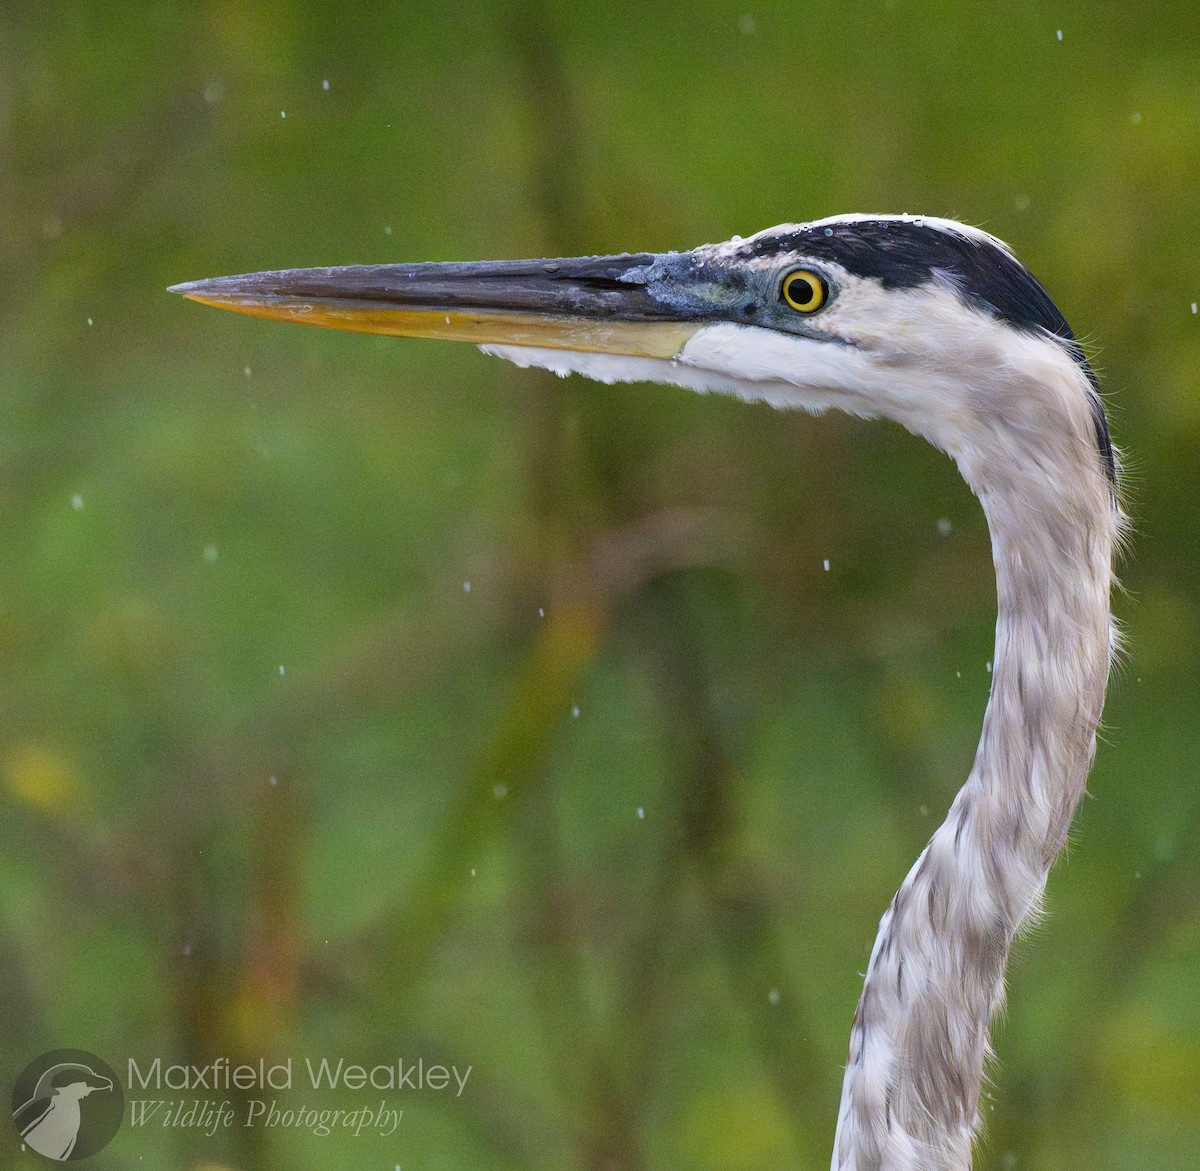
x=599 y=304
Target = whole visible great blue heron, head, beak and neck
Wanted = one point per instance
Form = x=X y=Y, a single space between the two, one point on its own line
x=938 y=327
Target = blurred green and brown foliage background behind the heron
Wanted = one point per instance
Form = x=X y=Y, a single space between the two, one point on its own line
x=379 y=700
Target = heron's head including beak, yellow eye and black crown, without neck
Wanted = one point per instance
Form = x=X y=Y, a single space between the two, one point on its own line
x=923 y=321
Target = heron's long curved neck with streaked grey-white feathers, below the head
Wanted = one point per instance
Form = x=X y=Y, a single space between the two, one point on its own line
x=937 y=975
